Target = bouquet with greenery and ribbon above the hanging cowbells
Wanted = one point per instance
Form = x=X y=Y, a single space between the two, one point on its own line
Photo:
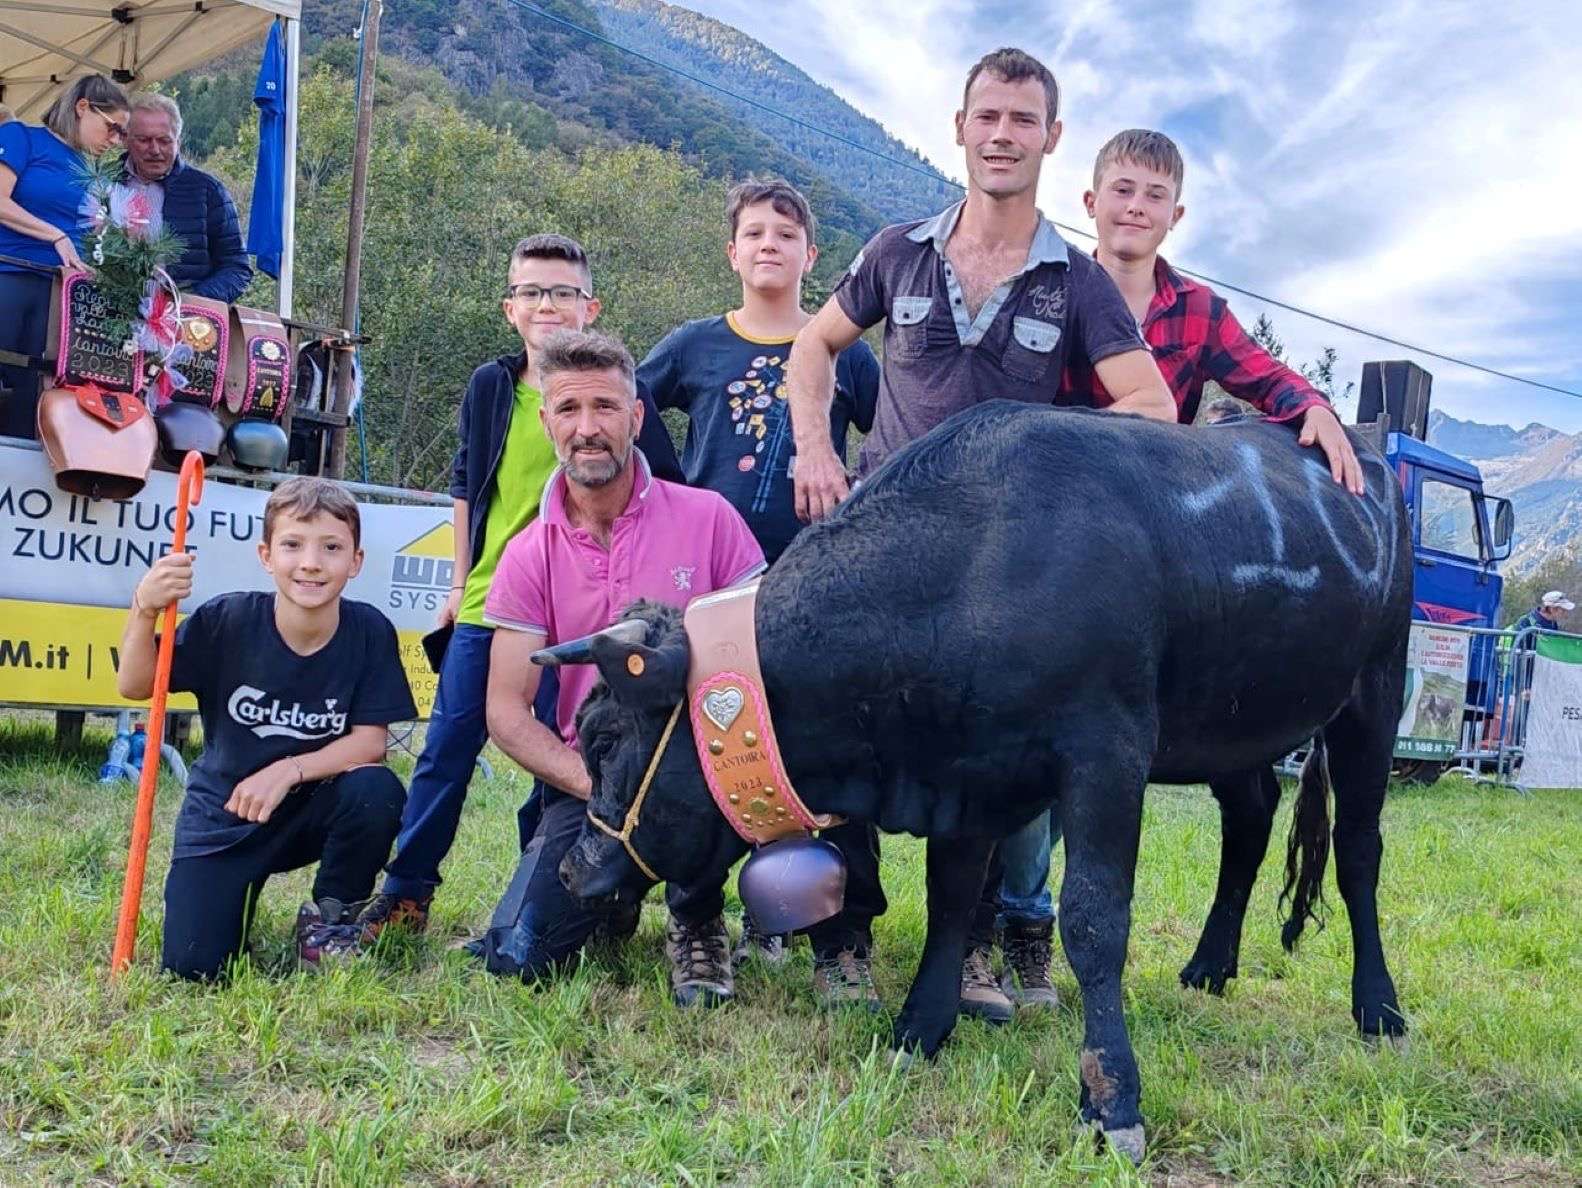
x=129 y=254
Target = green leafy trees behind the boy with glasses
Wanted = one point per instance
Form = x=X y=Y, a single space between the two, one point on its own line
x=448 y=199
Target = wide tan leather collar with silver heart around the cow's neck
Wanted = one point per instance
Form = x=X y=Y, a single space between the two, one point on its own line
x=732 y=725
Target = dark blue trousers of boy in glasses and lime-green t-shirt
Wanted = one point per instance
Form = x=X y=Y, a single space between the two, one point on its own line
x=458 y=732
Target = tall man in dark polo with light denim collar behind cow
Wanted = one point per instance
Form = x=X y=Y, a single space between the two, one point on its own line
x=983 y=301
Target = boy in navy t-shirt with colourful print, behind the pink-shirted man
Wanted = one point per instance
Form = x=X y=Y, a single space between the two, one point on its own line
x=729 y=373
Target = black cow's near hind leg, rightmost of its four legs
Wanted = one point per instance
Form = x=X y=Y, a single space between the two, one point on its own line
x=1361 y=744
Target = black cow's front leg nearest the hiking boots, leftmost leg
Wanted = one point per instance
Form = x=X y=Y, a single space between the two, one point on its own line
x=956 y=880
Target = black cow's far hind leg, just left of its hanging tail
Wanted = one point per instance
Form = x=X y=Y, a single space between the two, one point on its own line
x=1247 y=815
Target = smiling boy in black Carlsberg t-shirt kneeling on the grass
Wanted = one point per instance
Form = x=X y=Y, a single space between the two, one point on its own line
x=295 y=690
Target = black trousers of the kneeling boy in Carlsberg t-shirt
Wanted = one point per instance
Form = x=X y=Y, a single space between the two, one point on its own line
x=346 y=825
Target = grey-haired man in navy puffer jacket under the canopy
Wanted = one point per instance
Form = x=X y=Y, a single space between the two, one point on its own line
x=186 y=200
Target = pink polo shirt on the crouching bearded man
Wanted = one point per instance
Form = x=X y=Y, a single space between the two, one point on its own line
x=672 y=545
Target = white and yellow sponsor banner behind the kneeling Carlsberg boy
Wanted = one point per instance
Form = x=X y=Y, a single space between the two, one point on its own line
x=69 y=567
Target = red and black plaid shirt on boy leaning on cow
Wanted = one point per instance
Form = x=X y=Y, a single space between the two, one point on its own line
x=1195 y=338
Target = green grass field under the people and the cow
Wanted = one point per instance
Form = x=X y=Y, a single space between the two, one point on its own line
x=418 y=1069
